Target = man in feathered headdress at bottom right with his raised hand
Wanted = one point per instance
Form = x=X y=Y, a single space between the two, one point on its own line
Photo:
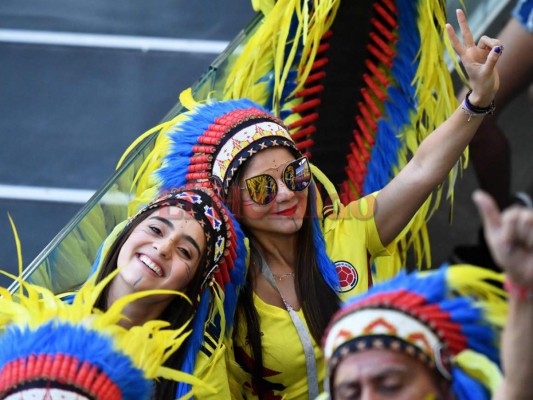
x=435 y=335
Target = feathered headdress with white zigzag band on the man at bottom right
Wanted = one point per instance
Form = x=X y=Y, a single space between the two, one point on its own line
x=457 y=313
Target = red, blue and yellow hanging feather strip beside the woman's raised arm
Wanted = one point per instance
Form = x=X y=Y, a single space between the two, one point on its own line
x=407 y=93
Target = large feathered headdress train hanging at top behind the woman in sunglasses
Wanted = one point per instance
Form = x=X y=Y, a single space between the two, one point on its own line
x=360 y=81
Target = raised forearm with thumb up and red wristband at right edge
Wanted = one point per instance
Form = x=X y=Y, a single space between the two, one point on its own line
x=509 y=236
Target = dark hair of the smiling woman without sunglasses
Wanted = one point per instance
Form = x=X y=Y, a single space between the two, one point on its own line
x=177 y=313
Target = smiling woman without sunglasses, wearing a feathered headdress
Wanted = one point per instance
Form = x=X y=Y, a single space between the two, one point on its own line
x=183 y=240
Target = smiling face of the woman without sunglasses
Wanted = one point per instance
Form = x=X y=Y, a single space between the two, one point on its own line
x=163 y=250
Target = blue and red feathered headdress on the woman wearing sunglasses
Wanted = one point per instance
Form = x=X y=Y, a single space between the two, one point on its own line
x=214 y=139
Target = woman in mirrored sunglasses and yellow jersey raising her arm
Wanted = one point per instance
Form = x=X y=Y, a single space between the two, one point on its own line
x=307 y=251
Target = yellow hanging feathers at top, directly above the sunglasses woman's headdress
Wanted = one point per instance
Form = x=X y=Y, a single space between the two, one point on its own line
x=277 y=60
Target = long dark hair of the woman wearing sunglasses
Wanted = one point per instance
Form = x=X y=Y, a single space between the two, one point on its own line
x=320 y=302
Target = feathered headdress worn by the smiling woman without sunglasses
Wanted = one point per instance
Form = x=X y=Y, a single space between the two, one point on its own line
x=224 y=273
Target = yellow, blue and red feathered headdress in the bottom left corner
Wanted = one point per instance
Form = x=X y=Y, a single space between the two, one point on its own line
x=81 y=348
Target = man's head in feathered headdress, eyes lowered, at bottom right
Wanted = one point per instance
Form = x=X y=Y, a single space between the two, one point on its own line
x=418 y=336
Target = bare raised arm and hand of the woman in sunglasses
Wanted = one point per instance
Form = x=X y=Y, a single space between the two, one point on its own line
x=402 y=197
